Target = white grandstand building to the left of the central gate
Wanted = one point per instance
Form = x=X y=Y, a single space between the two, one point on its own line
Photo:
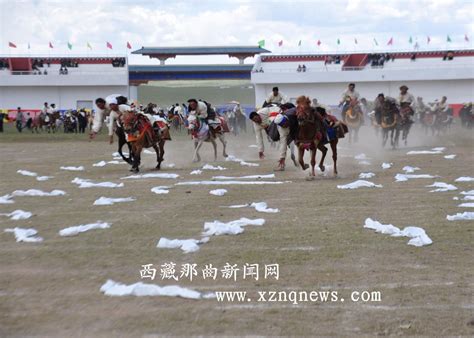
x=23 y=82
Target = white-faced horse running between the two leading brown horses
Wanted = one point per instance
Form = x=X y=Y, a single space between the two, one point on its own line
x=200 y=133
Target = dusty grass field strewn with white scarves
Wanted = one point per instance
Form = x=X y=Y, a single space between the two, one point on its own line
x=52 y=288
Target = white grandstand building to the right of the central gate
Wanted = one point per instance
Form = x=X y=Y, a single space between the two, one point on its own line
x=428 y=76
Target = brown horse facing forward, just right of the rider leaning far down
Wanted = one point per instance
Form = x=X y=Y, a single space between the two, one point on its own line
x=310 y=129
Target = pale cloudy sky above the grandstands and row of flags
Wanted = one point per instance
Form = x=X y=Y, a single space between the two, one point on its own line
x=238 y=22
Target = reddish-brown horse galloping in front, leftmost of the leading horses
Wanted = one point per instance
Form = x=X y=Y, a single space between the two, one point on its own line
x=141 y=133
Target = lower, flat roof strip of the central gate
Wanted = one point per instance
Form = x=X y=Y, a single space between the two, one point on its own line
x=188 y=68
